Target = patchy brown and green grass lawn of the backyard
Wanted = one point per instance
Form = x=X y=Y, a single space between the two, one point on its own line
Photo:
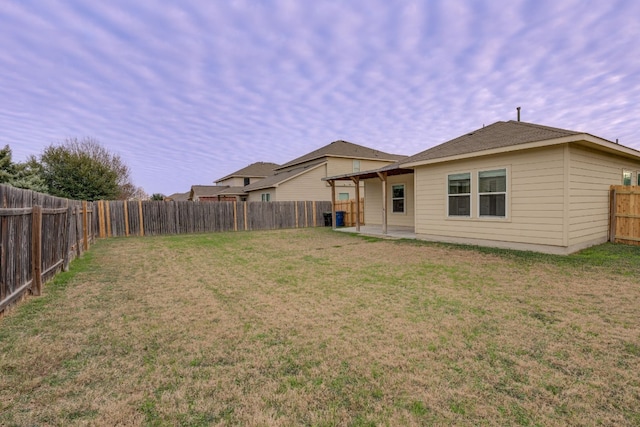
x=313 y=327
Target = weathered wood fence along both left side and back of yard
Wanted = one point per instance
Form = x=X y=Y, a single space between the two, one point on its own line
x=41 y=234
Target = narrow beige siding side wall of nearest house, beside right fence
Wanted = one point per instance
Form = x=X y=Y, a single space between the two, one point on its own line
x=591 y=173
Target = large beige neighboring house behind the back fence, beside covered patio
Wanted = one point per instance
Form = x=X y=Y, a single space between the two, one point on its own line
x=301 y=178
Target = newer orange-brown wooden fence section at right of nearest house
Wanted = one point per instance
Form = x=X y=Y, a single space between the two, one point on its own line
x=624 y=214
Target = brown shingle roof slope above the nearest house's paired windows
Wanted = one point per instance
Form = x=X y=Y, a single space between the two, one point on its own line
x=496 y=135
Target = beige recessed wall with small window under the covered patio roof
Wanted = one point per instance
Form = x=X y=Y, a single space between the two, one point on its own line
x=373 y=201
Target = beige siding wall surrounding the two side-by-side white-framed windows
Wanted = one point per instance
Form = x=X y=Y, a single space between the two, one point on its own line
x=535 y=203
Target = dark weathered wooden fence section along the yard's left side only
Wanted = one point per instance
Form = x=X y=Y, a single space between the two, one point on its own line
x=39 y=236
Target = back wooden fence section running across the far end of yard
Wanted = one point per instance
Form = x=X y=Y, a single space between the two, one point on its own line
x=138 y=218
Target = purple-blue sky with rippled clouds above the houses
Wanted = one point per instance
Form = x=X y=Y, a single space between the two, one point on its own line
x=189 y=91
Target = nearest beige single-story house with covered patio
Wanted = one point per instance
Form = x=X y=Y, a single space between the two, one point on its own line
x=511 y=184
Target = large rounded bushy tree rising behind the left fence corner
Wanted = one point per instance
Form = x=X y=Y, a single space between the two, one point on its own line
x=85 y=170
